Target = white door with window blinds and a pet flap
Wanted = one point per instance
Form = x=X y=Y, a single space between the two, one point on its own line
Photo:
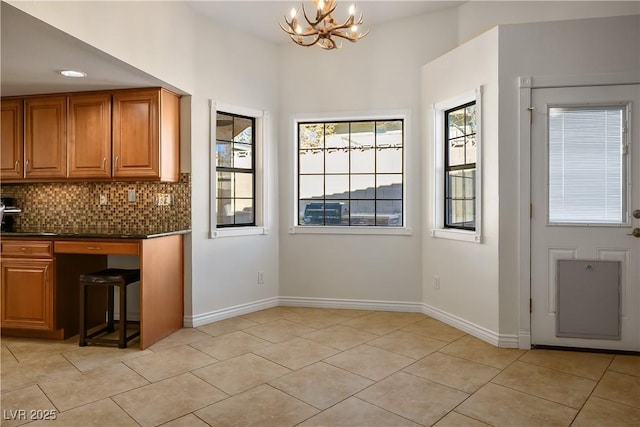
x=585 y=186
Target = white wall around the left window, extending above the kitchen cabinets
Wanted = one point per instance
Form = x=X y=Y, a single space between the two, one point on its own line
x=170 y=42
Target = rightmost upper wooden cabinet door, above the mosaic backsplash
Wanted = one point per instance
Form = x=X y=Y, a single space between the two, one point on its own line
x=136 y=127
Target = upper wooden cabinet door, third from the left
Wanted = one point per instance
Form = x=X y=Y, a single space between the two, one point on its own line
x=89 y=139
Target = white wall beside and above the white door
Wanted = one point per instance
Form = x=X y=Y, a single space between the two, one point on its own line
x=581 y=50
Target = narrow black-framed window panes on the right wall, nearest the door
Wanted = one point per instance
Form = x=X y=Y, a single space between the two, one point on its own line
x=460 y=167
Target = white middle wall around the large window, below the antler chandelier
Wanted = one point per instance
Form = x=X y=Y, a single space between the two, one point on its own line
x=381 y=72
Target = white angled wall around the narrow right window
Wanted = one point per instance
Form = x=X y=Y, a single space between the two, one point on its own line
x=468 y=271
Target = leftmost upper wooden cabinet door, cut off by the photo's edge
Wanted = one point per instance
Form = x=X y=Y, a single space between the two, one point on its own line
x=11 y=155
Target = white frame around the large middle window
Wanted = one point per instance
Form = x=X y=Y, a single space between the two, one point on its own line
x=405 y=115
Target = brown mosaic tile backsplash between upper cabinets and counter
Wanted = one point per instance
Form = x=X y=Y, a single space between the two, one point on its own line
x=58 y=205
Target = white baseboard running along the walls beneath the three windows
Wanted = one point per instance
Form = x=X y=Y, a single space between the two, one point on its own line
x=491 y=337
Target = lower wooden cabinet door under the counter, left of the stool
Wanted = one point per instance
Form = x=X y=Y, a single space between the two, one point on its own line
x=27 y=293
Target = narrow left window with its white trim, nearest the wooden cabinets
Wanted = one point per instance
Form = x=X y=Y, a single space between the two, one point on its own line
x=238 y=193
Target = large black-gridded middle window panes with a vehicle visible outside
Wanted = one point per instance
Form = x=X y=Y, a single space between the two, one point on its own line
x=350 y=173
